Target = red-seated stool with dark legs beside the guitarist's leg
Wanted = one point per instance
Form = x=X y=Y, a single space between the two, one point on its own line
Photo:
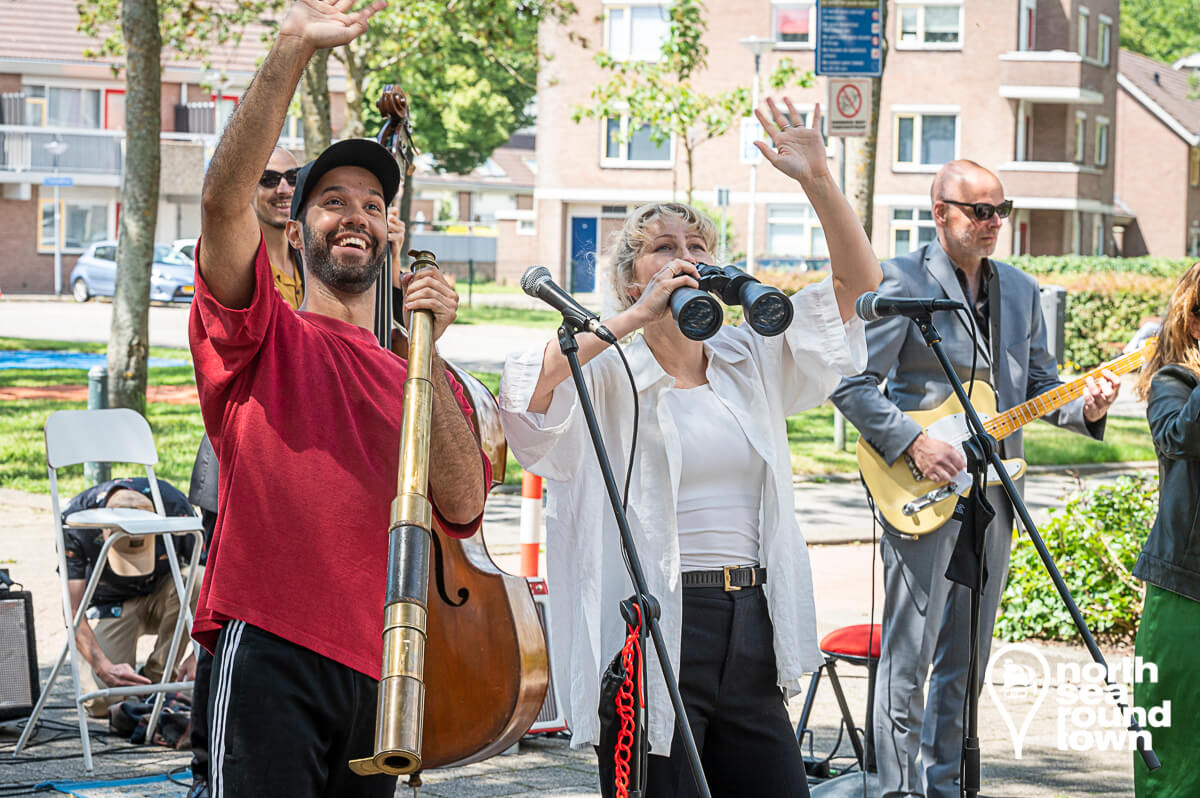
x=859 y=645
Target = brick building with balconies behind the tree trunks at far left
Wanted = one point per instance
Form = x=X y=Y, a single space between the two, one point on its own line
x=52 y=95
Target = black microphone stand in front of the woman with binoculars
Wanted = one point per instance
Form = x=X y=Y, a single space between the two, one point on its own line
x=650 y=605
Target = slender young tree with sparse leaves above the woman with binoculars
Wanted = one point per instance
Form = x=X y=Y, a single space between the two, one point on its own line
x=661 y=94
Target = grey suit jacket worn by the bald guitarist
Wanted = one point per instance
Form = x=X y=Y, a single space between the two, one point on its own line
x=1018 y=364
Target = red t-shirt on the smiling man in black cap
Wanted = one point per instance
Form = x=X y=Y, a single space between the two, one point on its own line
x=304 y=412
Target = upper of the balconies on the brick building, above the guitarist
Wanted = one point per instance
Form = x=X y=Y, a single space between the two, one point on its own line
x=1054 y=76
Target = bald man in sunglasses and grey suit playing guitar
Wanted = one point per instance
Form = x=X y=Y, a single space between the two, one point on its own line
x=926 y=616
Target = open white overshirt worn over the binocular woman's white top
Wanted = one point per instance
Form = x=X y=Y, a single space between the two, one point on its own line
x=763 y=381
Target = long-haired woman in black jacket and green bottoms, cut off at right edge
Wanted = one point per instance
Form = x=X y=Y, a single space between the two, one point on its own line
x=1171 y=560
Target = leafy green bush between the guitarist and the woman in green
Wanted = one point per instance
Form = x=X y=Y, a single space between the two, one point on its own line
x=1095 y=542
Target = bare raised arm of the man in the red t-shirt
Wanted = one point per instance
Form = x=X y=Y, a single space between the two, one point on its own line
x=229 y=225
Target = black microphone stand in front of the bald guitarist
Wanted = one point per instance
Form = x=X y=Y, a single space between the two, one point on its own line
x=981 y=451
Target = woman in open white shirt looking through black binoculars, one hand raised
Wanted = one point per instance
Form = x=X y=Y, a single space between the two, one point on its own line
x=711 y=502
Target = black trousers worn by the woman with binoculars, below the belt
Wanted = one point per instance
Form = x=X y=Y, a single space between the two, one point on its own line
x=735 y=707
